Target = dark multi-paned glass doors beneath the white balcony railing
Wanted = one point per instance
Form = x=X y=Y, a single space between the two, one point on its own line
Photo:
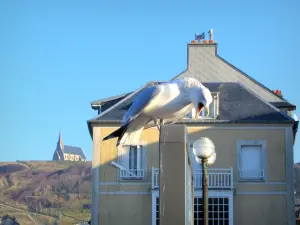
x=218 y=211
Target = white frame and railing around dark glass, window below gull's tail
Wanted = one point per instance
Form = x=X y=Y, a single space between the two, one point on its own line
x=127 y=173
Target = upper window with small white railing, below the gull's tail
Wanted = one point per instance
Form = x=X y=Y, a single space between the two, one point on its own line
x=132 y=160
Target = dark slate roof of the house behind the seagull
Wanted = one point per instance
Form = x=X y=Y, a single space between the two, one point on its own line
x=237 y=104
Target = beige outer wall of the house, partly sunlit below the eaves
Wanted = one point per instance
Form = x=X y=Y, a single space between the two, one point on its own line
x=250 y=206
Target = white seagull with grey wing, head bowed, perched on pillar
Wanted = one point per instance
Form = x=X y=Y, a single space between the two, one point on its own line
x=161 y=103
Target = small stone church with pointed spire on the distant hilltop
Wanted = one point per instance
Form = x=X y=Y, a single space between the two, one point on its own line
x=67 y=153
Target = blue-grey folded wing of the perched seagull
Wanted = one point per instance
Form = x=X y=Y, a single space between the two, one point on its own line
x=140 y=102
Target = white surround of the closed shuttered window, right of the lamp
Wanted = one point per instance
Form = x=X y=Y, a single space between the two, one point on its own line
x=263 y=173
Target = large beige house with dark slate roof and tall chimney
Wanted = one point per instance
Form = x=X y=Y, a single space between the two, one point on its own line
x=251 y=181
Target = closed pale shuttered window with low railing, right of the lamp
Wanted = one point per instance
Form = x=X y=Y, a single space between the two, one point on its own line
x=251 y=160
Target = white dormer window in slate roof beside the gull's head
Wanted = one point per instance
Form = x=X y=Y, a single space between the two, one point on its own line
x=213 y=108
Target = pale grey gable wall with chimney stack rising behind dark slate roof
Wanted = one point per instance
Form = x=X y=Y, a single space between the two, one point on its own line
x=204 y=64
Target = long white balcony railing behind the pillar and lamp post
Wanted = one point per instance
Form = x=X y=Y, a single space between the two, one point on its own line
x=217 y=178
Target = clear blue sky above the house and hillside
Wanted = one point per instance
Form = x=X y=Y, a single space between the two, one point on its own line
x=57 y=56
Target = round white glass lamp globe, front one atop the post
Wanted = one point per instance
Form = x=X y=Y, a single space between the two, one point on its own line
x=203 y=148
